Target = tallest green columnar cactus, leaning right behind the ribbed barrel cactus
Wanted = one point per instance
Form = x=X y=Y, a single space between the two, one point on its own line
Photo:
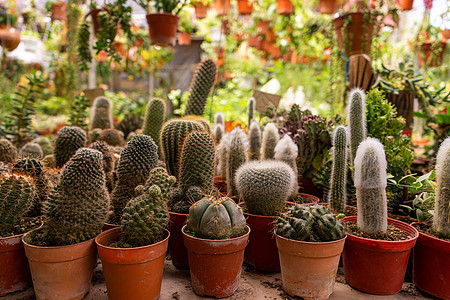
x=201 y=84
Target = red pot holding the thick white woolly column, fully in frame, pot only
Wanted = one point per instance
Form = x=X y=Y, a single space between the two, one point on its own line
x=375 y=266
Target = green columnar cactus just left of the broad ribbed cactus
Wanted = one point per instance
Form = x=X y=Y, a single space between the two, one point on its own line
x=155 y=116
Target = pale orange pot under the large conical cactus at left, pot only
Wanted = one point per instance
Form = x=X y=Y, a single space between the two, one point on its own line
x=63 y=272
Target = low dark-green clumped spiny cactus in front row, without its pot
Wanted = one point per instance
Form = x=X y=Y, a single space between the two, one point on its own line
x=309 y=223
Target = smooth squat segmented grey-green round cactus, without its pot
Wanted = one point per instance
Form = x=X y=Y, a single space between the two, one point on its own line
x=216 y=217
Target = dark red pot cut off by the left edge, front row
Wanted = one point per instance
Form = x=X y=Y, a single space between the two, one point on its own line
x=15 y=275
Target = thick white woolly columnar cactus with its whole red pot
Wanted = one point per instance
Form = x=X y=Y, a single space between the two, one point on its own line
x=377 y=248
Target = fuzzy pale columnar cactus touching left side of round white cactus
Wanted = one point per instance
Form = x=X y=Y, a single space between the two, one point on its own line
x=237 y=155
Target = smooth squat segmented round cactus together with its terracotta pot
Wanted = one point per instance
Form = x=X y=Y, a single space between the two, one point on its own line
x=215 y=235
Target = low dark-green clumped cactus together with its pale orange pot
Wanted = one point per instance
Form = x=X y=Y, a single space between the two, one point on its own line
x=310 y=239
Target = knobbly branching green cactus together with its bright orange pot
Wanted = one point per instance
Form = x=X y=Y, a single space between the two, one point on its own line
x=133 y=255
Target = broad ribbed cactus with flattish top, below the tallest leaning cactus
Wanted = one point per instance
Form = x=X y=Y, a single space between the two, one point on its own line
x=173 y=135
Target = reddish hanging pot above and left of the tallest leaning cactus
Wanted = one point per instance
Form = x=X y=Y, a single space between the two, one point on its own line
x=162 y=29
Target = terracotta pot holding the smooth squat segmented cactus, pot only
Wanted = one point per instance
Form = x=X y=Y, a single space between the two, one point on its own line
x=215 y=265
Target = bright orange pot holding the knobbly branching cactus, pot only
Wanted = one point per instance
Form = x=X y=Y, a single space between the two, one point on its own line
x=131 y=273
